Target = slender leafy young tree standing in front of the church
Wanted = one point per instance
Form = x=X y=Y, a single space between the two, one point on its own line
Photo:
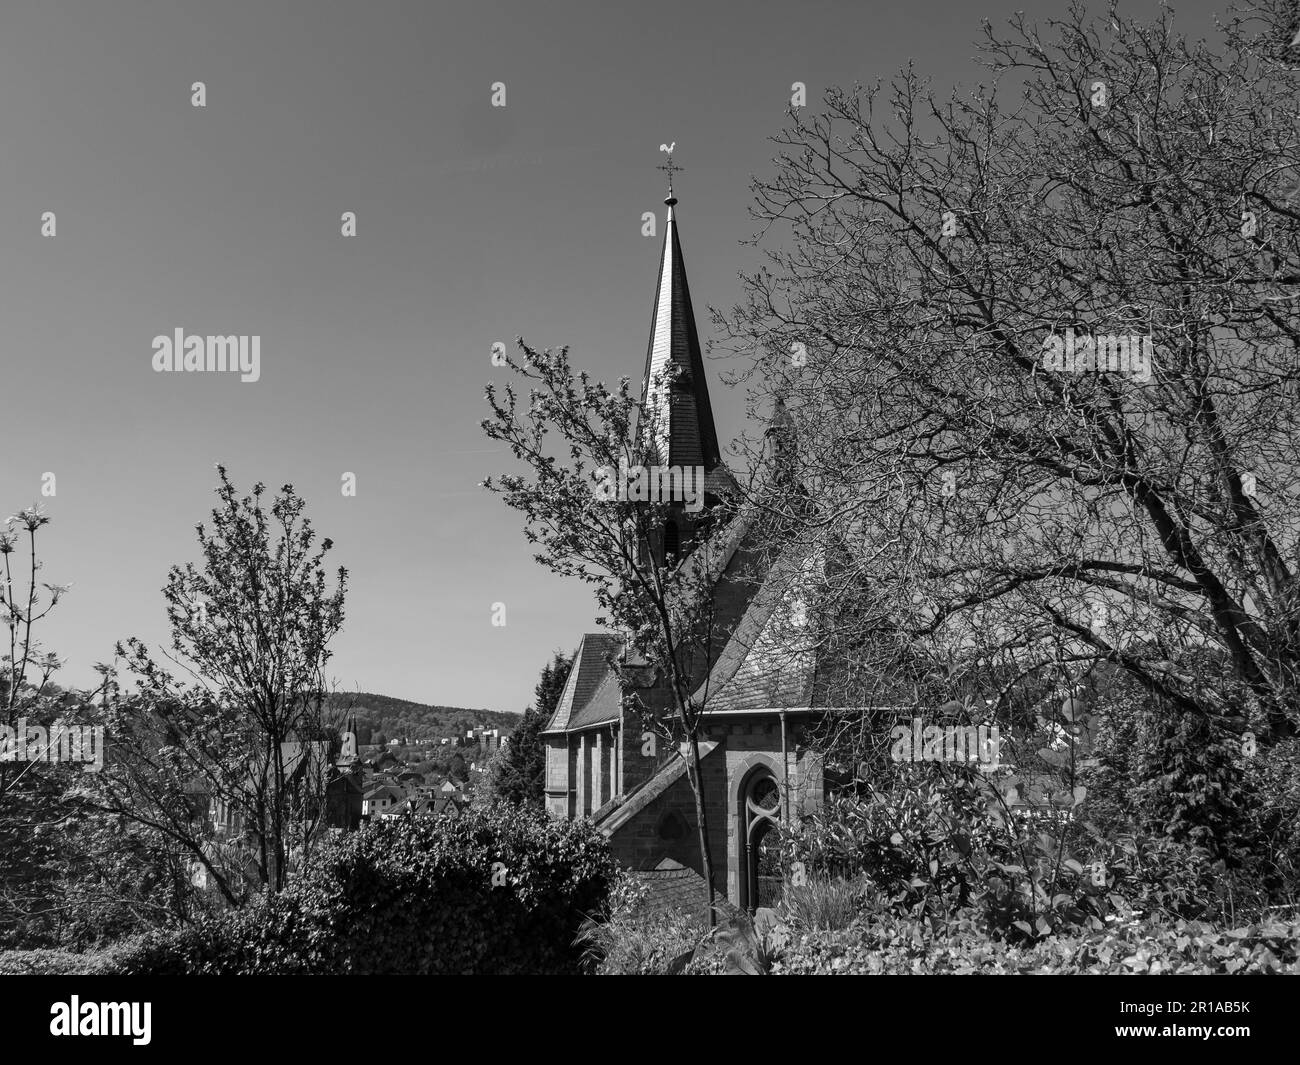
x=583 y=531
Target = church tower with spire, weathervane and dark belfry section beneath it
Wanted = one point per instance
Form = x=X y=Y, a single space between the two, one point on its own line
x=681 y=430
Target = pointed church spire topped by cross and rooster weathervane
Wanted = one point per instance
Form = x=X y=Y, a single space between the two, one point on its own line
x=683 y=417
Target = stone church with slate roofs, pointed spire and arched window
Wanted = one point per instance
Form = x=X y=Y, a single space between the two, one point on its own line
x=757 y=690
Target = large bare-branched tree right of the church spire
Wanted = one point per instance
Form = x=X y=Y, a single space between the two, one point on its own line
x=973 y=291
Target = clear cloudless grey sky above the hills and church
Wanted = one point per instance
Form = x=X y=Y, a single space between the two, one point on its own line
x=474 y=226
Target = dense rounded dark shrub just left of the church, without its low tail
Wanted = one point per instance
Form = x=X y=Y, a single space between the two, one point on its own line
x=496 y=891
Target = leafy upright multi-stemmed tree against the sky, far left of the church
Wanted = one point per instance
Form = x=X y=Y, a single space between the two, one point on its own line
x=252 y=627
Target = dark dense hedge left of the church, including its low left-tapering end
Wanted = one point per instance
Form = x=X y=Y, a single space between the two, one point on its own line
x=492 y=893
